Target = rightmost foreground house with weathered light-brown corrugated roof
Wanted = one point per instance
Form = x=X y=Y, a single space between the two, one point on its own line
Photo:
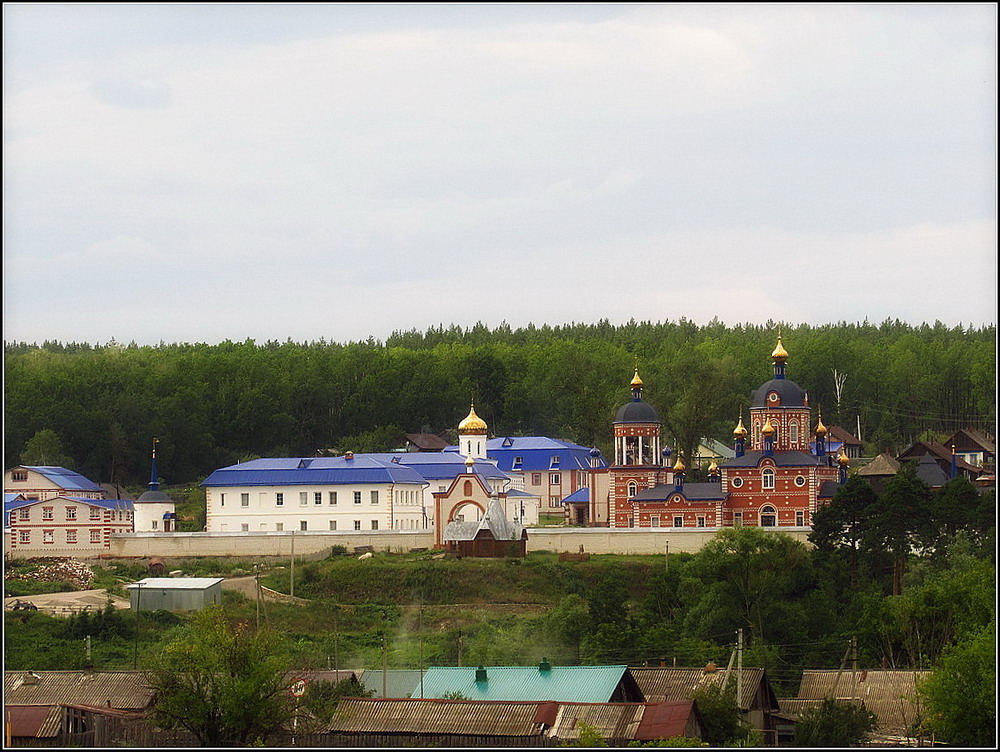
x=890 y=694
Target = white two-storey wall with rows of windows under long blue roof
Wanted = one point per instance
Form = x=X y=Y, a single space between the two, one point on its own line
x=262 y=509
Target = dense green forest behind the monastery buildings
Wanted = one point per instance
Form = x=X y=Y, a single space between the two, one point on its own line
x=98 y=406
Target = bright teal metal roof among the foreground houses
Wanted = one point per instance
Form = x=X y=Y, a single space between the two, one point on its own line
x=560 y=683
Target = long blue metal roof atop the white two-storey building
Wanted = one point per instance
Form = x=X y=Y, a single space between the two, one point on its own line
x=313 y=471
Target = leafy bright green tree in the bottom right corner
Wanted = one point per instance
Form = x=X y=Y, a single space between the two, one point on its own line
x=961 y=693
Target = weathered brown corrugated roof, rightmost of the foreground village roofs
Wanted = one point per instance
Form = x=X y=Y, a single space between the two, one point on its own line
x=891 y=695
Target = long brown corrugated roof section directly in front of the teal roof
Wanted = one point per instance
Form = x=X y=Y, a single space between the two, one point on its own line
x=401 y=716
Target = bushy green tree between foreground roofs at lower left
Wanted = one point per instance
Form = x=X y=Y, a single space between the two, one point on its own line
x=224 y=683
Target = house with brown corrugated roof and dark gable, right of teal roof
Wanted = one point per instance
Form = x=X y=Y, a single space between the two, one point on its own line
x=756 y=698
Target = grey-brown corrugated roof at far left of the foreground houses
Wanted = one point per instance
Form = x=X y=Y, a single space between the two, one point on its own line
x=125 y=690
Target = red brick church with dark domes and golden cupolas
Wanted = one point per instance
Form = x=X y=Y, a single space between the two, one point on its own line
x=781 y=474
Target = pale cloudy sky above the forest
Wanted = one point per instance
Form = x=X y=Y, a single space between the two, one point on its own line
x=200 y=172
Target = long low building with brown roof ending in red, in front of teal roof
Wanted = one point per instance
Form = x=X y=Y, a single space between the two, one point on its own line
x=499 y=723
